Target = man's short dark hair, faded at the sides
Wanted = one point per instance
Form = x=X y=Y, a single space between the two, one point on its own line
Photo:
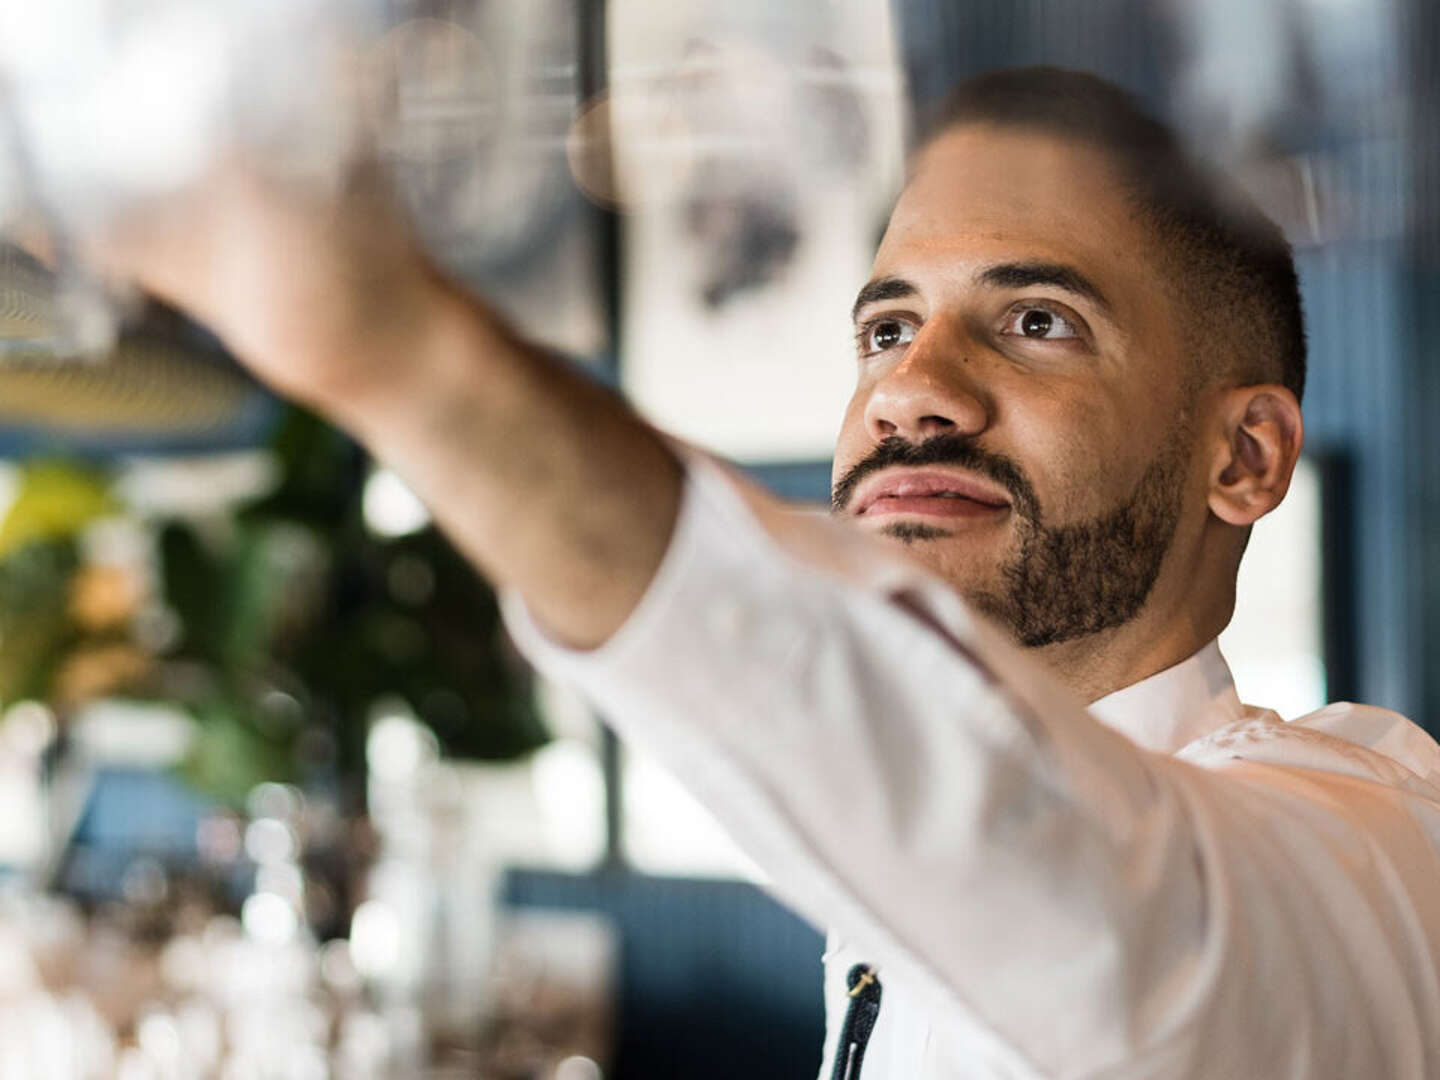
x=1232 y=267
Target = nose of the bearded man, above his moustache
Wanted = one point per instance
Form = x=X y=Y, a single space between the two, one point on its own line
x=931 y=391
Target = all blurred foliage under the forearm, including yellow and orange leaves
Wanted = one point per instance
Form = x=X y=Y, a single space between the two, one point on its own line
x=289 y=618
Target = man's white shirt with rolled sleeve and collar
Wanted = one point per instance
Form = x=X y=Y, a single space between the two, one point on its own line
x=1167 y=885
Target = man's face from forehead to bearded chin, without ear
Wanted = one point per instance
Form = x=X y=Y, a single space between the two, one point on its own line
x=1019 y=415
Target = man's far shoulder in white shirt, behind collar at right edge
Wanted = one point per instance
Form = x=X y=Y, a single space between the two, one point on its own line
x=1346 y=738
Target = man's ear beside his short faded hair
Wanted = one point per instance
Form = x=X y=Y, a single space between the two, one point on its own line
x=1258 y=446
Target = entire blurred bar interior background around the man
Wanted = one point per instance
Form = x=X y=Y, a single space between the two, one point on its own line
x=277 y=797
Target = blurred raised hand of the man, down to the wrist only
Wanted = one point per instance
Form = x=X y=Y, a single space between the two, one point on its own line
x=307 y=287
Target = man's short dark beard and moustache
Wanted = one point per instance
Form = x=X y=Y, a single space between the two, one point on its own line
x=1066 y=581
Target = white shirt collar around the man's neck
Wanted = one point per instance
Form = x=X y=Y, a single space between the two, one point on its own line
x=1176 y=706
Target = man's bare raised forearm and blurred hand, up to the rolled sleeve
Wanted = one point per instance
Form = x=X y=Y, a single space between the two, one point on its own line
x=545 y=480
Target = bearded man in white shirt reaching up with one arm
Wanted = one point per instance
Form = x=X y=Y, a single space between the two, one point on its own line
x=1079 y=378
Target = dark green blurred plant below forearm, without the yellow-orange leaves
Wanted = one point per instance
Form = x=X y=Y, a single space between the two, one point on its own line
x=297 y=618
